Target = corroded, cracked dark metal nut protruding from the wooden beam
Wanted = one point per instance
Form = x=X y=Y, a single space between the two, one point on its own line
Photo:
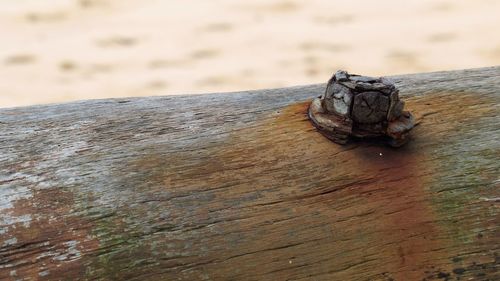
x=361 y=106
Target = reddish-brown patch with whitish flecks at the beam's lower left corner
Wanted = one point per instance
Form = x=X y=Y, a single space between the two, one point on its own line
x=52 y=244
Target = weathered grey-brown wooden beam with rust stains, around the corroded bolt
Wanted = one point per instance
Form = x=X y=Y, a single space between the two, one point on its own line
x=241 y=187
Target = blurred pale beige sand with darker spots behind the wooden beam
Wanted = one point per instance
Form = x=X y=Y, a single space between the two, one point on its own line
x=62 y=50
